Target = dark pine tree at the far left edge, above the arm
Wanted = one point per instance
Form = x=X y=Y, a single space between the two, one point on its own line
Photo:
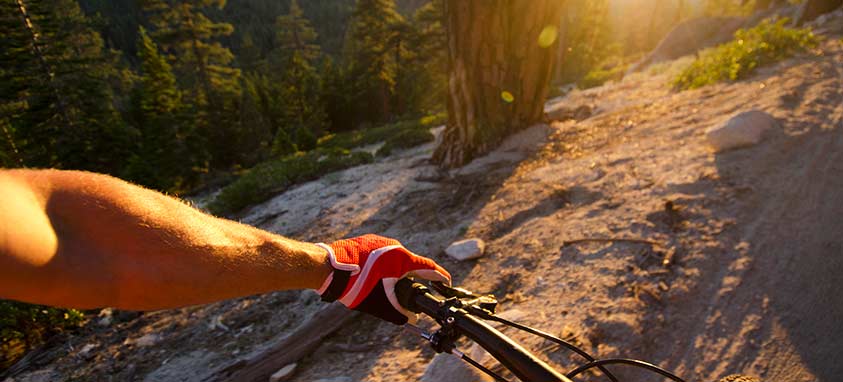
x=57 y=104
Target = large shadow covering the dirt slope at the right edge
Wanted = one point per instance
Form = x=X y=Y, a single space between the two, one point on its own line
x=775 y=284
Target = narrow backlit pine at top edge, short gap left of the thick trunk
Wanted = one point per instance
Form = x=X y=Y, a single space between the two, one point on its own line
x=373 y=62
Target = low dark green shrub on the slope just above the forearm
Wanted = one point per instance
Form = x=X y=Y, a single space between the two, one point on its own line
x=269 y=178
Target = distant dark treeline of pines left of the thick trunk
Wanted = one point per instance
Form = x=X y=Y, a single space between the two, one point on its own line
x=161 y=92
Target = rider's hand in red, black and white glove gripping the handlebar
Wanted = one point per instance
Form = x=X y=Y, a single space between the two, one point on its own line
x=366 y=269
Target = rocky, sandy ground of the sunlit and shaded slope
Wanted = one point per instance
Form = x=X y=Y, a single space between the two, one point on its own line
x=741 y=276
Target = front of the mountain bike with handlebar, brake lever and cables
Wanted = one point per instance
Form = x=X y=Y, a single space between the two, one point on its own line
x=460 y=312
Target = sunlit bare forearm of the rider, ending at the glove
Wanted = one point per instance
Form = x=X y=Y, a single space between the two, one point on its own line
x=125 y=246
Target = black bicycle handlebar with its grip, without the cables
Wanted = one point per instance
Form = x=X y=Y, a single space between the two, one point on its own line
x=526 y=366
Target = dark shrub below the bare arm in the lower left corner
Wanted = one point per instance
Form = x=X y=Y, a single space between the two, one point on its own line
x=25 y=326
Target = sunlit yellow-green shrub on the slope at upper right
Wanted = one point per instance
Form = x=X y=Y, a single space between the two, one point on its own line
x=761 y=45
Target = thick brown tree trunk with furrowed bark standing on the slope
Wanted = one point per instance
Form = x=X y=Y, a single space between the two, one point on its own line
x=498 y=72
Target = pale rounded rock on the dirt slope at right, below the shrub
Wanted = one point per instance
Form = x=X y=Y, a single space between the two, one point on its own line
x=744 y=129
